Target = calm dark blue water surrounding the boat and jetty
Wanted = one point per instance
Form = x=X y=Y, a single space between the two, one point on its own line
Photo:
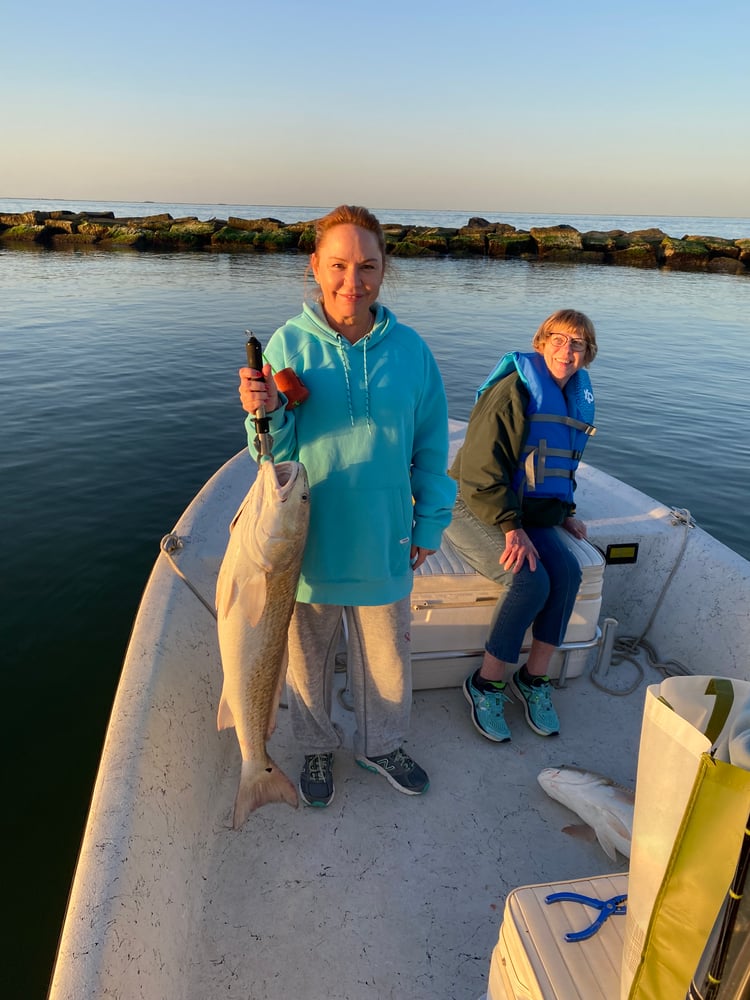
x=119 y=398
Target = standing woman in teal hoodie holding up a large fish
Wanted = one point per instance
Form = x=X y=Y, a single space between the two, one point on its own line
x=373 y=437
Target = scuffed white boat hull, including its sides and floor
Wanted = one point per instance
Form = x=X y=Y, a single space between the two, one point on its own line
x=380 y=894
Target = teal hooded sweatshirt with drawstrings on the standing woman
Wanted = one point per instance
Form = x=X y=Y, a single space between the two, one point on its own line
x=373 y=437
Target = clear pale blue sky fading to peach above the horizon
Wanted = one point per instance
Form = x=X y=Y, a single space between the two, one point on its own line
x=584 y=106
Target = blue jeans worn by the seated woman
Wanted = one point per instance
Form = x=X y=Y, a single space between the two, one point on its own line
x=544 y=597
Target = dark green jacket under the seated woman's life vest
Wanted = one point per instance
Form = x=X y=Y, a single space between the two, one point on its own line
x=487 y=461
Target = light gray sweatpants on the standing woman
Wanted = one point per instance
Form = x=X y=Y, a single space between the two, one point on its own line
x=379 y=666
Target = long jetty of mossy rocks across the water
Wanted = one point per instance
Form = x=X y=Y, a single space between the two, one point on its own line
x=649 y=248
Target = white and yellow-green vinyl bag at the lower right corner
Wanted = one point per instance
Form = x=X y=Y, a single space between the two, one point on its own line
x=691 y=810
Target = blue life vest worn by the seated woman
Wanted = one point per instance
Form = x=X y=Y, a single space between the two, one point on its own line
x=560 y=423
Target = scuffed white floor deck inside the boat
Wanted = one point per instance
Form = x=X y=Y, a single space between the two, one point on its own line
x=390 y=896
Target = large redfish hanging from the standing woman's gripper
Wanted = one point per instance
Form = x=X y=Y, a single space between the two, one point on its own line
x=255 y=594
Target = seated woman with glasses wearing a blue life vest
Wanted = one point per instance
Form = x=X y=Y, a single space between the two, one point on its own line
x=516 y=478
